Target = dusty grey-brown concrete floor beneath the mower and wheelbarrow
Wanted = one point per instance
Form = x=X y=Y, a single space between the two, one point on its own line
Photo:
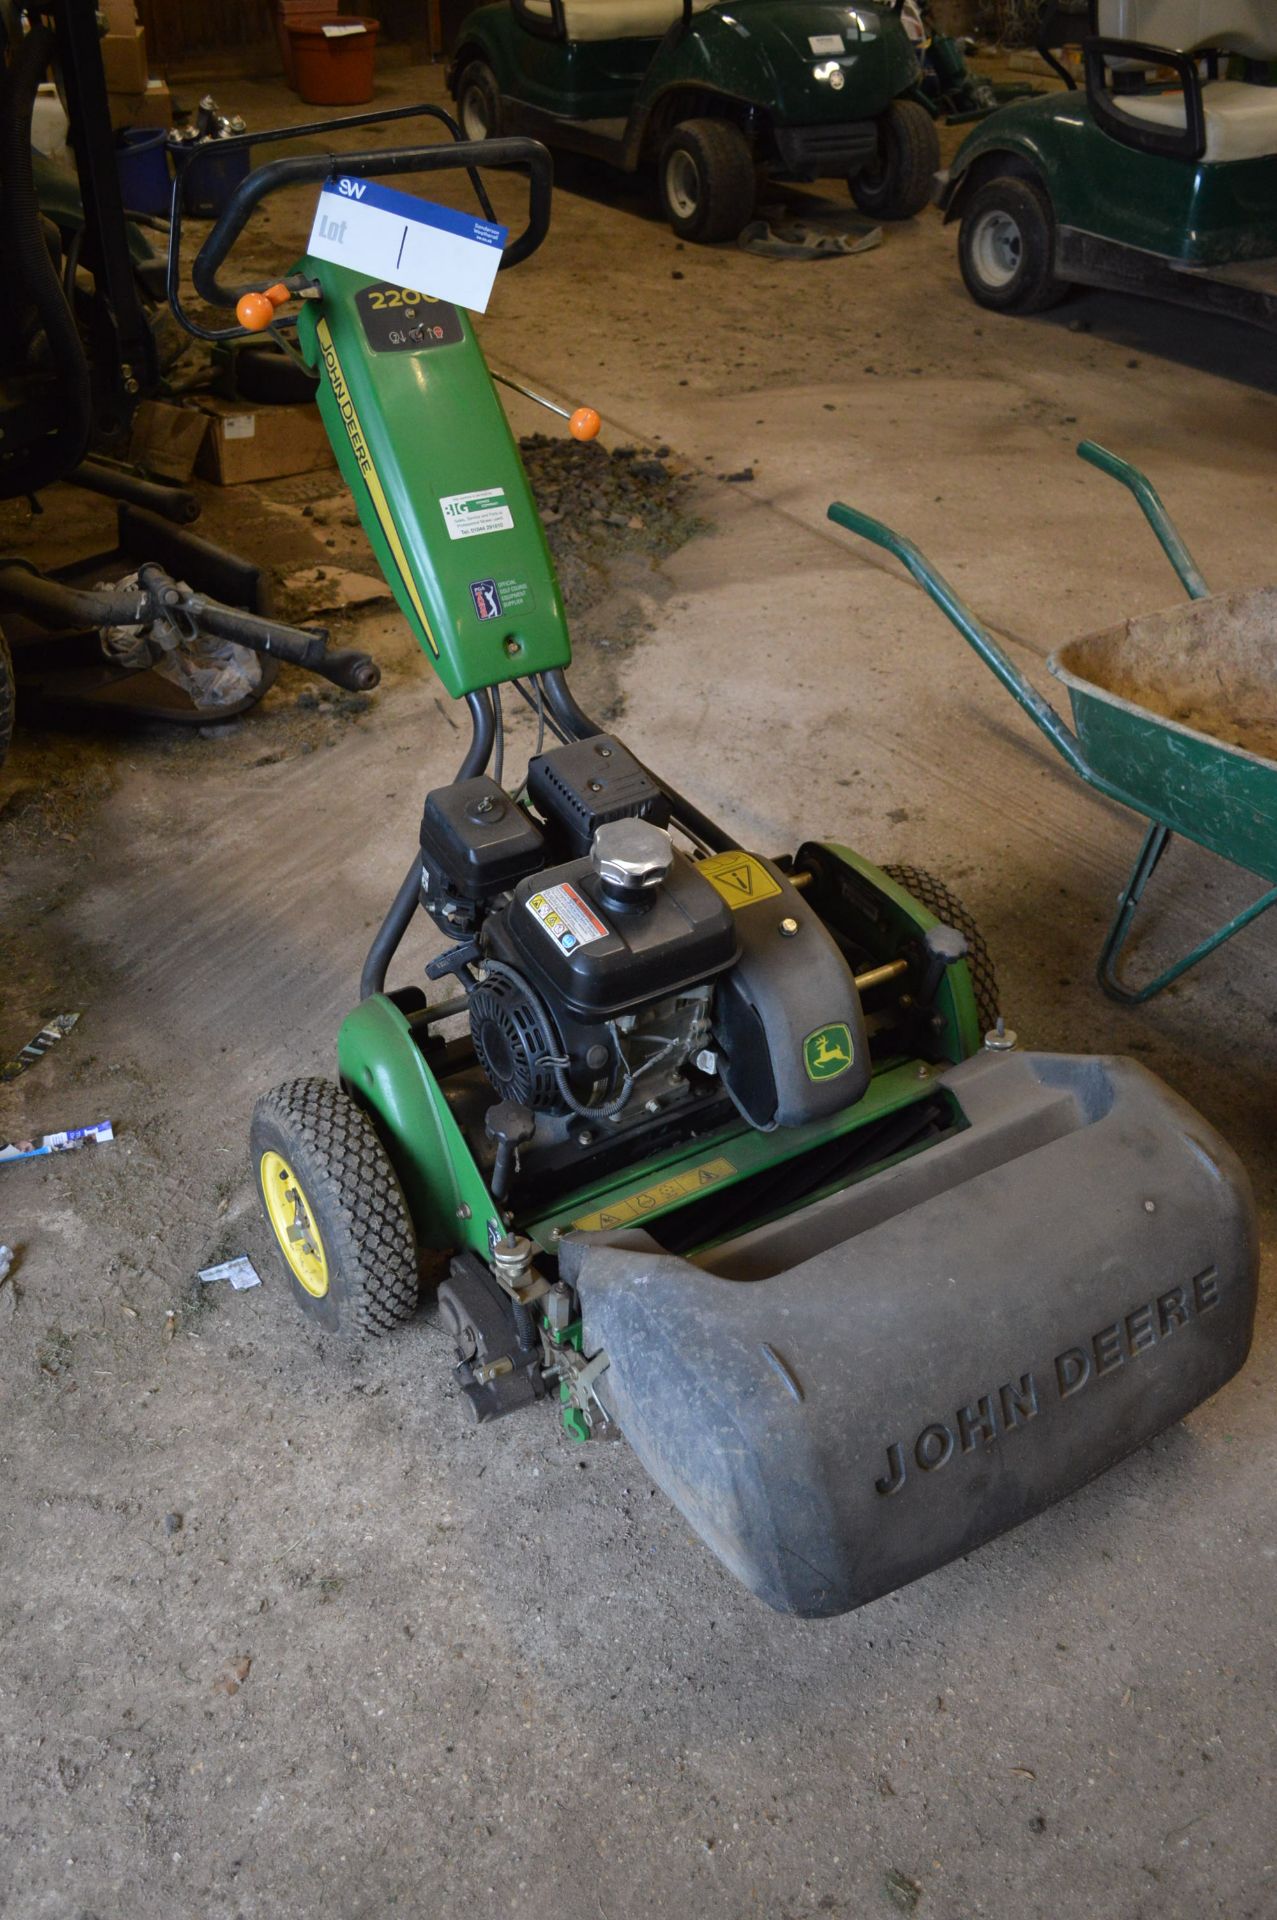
x=391 y=1664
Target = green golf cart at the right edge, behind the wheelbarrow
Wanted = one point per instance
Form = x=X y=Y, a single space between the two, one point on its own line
x=1161 y=178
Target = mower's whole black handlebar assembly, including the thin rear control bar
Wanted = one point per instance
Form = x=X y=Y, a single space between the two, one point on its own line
x=379 y=162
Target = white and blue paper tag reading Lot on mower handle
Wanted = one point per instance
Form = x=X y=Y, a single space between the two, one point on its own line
x=406 y=241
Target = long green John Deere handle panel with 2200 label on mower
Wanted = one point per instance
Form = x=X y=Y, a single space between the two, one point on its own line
x=425 y=448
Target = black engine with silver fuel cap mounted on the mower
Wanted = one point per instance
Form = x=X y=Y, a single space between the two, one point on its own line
x=612 y=978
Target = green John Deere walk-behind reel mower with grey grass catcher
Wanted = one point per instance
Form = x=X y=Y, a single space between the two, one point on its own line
x=731 y=1153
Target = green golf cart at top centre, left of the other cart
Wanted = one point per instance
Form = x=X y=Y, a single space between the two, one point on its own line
x=710 y=91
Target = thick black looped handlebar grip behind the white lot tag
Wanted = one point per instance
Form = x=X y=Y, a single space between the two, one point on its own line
x=437 y=158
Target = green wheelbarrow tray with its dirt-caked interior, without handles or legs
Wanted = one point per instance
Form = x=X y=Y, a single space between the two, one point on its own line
x=1180 y=713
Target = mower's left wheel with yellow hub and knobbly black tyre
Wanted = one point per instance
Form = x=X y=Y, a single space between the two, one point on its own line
x=335 y=1209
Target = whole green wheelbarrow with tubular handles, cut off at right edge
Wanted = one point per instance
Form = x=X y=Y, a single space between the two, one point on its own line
x=1174 y=717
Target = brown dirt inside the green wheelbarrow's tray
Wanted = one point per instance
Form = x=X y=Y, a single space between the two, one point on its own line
x=1211 y=667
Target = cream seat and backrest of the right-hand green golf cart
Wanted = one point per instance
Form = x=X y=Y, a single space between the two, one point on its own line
x=1240 y=118
